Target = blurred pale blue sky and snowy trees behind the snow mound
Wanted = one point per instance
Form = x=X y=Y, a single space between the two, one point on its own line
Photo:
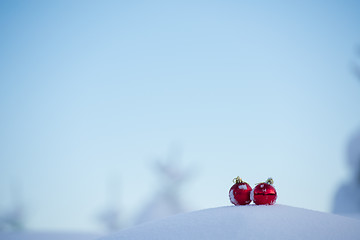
x=118 y=112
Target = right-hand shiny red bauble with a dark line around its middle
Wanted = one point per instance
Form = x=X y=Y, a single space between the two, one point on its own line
x=264 y=193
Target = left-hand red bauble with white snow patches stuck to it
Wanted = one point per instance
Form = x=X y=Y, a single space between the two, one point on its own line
x=239 y=193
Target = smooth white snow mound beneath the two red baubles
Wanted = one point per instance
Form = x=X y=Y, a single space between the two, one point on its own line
x=246 y=222
